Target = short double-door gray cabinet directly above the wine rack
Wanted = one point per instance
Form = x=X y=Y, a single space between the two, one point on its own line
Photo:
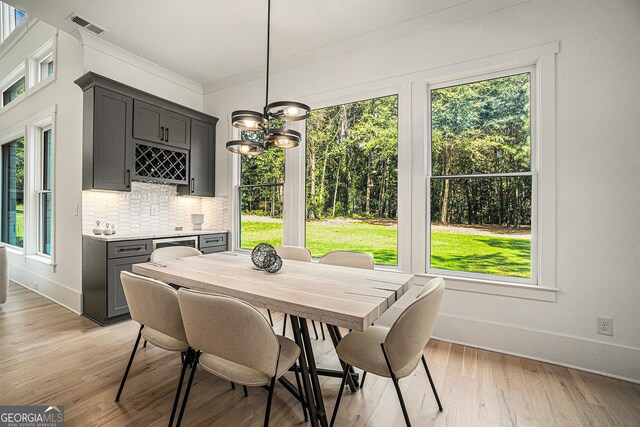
x=156 y=124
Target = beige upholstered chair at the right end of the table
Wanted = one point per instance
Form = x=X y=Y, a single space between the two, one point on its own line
x=394 y=352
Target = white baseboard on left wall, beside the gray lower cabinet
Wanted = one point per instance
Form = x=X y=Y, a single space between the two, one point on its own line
x=49 y=289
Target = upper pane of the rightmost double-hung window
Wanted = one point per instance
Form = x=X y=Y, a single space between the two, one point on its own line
x=482 y=127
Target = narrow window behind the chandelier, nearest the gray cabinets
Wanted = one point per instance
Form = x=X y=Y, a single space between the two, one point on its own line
x=261 y=196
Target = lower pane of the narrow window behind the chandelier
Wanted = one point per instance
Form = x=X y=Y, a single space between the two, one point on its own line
x=261 y=215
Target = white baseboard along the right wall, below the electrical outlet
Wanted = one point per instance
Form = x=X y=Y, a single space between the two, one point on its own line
x=601 y=358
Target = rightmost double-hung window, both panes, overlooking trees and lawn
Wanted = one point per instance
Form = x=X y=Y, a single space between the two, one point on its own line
x=481 y=184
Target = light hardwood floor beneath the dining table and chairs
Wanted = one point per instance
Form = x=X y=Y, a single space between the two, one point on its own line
x=48 y=355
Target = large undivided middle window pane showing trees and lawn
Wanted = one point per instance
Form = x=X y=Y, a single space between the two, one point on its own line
x=352 y=179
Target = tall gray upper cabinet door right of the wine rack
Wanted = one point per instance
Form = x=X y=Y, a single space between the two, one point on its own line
x=202 y=160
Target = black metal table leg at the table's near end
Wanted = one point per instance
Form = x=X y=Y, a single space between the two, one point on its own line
x=309 y=370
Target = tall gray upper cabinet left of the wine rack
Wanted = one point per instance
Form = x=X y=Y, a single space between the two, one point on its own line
x=107 y=151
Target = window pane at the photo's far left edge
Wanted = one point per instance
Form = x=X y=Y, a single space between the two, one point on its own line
x=13 y=193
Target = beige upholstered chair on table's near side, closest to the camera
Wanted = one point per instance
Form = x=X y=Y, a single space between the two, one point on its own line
x=234 y=341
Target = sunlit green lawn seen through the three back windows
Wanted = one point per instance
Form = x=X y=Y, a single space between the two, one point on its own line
x=450 y=251
